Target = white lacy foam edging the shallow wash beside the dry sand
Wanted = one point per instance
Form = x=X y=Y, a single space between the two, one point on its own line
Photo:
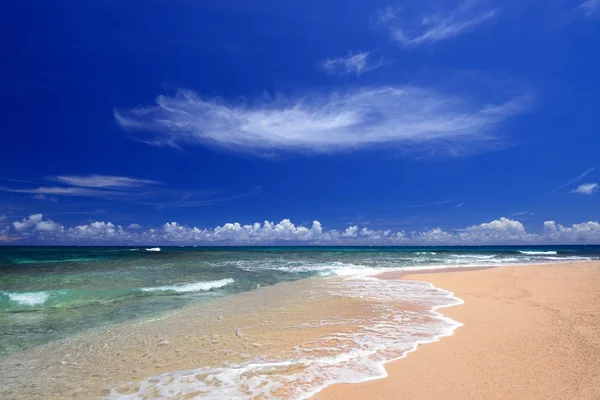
x=388 y=332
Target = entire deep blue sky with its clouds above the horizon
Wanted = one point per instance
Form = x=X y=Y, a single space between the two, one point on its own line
x=403 y=118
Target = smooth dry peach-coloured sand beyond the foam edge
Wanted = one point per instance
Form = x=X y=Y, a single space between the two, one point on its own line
x=530 y=332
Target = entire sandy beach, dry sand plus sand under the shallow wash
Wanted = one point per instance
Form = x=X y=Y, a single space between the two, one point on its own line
x=530 y=332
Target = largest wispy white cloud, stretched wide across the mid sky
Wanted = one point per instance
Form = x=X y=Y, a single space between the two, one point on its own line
x=404 y=116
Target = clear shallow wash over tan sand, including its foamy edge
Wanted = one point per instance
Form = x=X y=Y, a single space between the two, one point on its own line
x=308 y=319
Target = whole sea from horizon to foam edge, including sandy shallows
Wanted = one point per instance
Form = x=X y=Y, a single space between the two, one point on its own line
x=222 y=308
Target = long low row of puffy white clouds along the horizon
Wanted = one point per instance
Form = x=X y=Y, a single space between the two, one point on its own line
x=36 y=229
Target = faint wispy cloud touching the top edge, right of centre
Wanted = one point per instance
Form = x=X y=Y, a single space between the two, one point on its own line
x=412 y=27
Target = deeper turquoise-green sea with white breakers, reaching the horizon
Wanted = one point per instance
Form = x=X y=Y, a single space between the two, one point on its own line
x=48 y=293
